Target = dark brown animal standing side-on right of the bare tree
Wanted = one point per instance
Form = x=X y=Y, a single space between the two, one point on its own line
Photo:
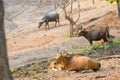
x=94 y=35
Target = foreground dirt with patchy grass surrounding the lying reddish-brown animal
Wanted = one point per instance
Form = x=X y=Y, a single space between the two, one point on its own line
x=110 y=65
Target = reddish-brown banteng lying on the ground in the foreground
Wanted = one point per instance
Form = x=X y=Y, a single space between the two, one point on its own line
x=74 y=62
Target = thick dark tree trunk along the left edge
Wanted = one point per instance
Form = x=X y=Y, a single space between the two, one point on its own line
x=4 y=66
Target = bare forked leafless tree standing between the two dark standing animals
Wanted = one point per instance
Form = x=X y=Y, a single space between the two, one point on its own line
x=63 y=4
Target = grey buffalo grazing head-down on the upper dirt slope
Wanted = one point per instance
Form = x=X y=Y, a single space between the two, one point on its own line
x=49 y=17
